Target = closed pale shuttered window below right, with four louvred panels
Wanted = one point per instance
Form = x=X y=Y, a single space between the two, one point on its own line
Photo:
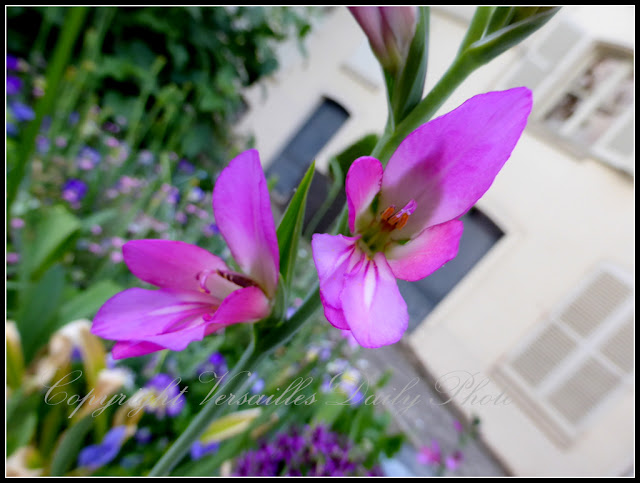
x=573 y=365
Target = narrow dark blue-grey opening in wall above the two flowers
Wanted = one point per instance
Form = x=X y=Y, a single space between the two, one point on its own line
x=290 y=165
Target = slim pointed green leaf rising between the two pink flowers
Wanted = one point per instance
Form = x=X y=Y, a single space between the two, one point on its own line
x=290 y=227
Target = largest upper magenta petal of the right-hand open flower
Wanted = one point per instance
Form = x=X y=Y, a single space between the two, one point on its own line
x=447 y=164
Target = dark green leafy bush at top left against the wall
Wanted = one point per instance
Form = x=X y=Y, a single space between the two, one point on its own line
x=209 y=55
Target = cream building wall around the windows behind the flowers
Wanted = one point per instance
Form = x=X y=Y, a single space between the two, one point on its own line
x=562 y=216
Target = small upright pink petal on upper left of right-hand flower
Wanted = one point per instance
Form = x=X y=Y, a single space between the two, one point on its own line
x=362 y=185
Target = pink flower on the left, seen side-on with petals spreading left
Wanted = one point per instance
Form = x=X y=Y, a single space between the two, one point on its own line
x=199 y=294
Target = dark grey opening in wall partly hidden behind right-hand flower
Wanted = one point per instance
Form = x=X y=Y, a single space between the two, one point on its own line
x=479 y=235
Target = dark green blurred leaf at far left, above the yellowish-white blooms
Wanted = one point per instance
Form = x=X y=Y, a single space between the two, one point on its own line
x=38 y=309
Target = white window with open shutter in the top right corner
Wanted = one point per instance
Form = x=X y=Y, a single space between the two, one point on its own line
x=583 y=91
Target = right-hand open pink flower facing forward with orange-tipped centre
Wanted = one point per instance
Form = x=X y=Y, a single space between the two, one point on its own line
x=404 y=219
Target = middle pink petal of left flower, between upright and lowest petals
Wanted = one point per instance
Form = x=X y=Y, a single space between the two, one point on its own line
x=176 y=265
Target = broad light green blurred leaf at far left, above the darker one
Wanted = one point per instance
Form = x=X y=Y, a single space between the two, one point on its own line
x=56 y=226
